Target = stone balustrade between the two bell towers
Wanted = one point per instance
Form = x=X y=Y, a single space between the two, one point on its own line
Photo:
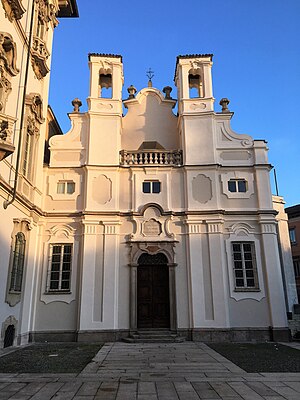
x=151 y=157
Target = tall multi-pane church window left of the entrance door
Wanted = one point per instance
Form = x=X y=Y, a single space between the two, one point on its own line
x=59 y=272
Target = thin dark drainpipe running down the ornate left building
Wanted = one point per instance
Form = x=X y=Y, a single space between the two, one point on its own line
x=7 y=202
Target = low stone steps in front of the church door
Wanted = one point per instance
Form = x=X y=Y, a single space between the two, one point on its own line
x=154 y=336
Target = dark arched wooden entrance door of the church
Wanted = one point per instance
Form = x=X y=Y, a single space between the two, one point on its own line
x=153 y=298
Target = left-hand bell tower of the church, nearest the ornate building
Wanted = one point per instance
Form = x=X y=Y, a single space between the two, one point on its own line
x=105 y=108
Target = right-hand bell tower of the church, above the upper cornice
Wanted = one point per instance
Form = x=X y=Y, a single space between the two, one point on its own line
x=195 y=107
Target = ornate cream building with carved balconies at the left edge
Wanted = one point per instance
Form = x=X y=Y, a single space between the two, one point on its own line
x=26 y=34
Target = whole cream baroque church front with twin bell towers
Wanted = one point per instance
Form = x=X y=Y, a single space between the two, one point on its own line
x=149 y=221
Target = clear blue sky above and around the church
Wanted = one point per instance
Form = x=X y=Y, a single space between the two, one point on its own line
x=256 y=47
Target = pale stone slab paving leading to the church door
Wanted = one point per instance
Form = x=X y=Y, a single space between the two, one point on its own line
x=183 y=371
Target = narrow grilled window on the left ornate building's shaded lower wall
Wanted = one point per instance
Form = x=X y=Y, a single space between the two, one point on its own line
x=18 y=263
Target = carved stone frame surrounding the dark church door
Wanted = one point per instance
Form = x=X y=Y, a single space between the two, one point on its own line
x=152 y=248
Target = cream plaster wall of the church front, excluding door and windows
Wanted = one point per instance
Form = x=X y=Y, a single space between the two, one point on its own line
x=193 y=219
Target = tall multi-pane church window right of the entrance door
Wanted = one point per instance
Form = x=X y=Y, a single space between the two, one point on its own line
x=244 y=265
